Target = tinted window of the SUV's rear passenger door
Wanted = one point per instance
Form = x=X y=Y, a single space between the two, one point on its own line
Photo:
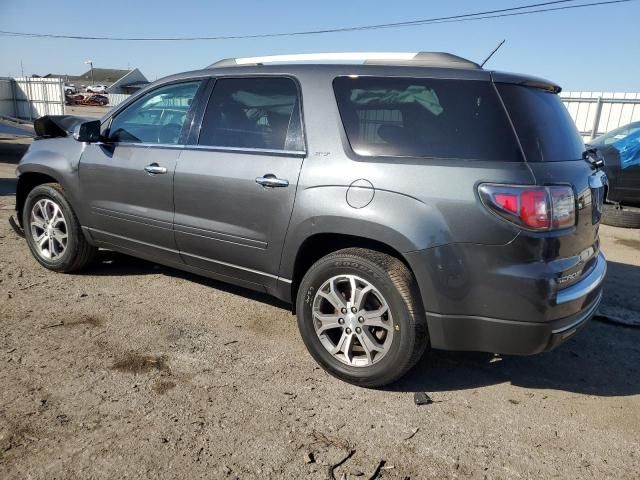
x=259 y=113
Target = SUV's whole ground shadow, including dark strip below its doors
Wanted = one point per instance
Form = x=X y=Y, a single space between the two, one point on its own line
x=602 y=359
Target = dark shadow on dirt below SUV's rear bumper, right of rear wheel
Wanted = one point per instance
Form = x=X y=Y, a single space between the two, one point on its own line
x=602 y=359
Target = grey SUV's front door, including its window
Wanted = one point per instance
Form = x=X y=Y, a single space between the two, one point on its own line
x=128 y=179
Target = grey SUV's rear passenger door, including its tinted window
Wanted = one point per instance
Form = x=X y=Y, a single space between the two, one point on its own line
x=235 y=184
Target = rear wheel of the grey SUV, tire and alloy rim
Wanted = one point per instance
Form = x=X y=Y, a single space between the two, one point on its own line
x=403 y=329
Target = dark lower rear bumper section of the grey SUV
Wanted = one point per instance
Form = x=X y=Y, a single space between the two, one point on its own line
x=451 y=332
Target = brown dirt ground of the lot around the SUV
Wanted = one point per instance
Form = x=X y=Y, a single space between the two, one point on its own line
x=133 y=370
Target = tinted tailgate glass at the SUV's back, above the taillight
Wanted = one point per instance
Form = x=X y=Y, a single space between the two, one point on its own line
x=543 y=124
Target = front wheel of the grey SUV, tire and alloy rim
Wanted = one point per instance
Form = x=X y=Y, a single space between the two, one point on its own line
x=69 y=254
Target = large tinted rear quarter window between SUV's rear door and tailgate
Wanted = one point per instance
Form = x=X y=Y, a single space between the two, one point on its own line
x=425 y=117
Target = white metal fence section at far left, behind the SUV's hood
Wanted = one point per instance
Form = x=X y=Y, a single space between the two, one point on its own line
x=31 y=98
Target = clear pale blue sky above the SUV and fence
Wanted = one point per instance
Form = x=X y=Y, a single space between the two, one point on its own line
x=595 y=49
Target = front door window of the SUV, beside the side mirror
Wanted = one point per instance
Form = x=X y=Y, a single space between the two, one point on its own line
x=157 y=117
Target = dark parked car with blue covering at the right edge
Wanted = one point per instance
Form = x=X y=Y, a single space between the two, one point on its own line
x=620 y=149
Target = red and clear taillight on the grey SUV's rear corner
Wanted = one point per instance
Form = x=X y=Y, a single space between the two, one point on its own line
x=534 y=208
